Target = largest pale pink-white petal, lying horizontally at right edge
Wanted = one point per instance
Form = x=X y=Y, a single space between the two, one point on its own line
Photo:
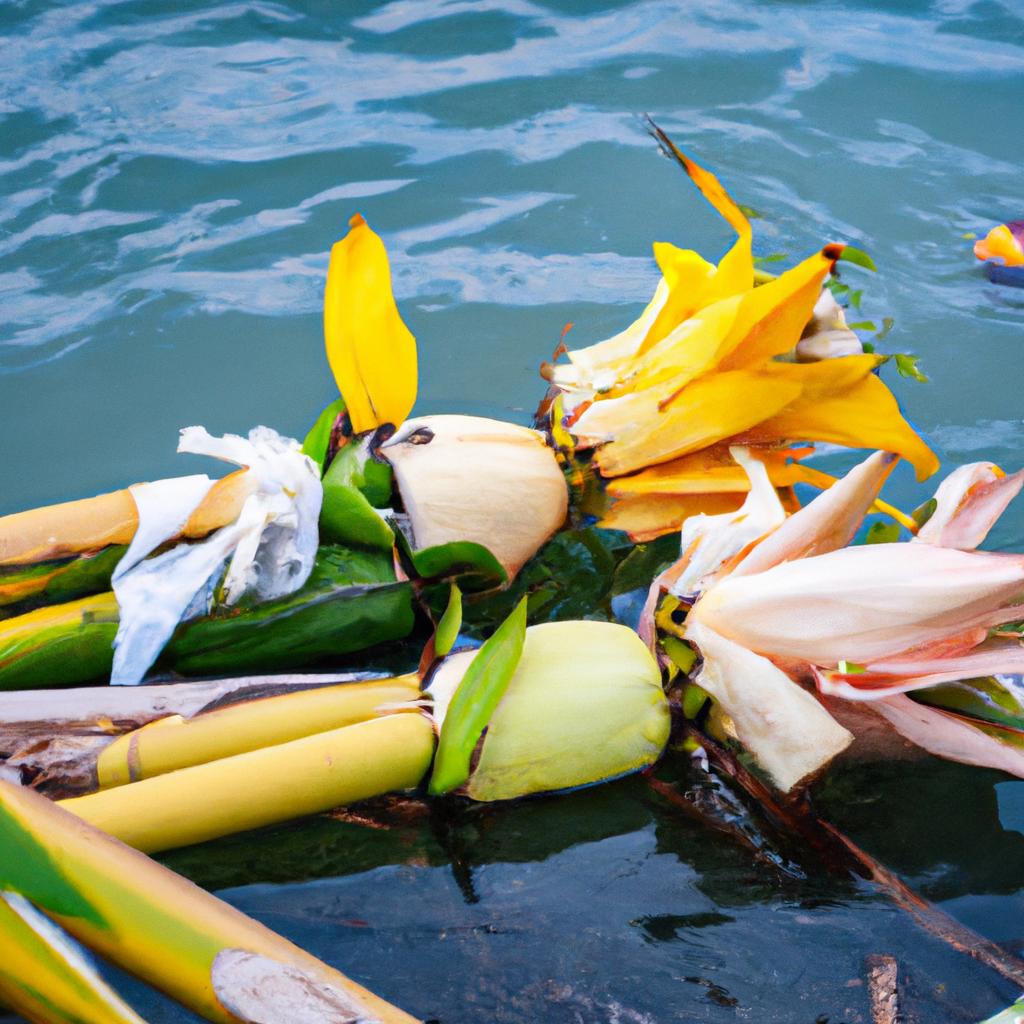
x=865 y=604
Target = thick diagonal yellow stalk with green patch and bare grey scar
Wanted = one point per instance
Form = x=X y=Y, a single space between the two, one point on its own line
x=142 y=917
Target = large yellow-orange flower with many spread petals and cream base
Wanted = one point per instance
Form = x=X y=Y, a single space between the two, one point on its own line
x=713 y=362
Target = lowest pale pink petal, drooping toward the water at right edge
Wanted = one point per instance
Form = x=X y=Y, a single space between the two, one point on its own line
x=948 y=737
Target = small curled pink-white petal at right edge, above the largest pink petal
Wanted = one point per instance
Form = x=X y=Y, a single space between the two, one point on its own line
x=970 y=500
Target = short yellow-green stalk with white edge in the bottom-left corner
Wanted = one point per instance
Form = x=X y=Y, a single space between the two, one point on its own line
x=45 y=977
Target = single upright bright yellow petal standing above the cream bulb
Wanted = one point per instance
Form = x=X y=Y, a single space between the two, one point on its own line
x=371 y=351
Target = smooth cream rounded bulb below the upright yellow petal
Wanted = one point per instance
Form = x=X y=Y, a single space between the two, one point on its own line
x=470 y=479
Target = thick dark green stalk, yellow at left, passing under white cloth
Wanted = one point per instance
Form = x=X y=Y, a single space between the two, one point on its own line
x=352 y=602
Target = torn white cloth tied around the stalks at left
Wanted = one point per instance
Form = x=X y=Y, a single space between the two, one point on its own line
x=272 y=546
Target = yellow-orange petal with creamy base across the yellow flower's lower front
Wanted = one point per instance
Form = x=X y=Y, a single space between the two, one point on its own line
x=710 y=410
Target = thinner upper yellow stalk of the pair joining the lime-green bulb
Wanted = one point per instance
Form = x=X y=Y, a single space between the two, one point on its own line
x=174 y=743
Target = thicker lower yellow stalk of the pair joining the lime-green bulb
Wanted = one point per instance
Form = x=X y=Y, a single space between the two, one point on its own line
x=265 y=787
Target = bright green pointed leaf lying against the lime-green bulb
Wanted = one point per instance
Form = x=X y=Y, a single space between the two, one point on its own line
x=475 y=702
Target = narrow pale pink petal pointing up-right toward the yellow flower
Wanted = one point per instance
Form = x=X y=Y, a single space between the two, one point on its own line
x=827 y=524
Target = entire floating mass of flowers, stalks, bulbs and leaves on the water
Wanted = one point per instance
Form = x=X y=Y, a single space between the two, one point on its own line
x=771 y=635
